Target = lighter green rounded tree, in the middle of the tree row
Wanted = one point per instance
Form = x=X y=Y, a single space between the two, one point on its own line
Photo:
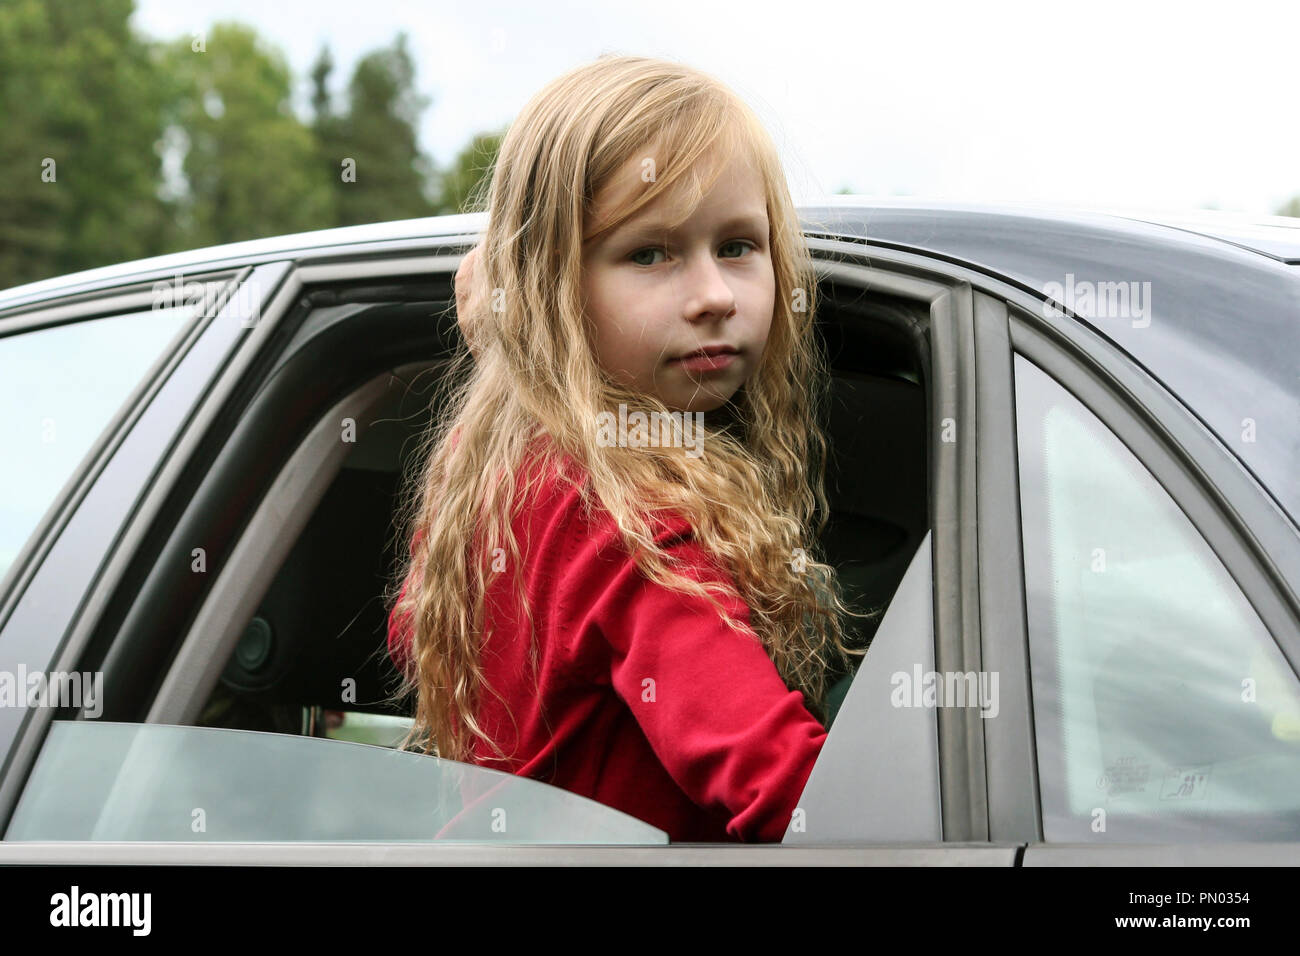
x=245 y=149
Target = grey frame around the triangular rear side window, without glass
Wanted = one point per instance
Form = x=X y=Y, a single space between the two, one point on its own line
x=1240 y=521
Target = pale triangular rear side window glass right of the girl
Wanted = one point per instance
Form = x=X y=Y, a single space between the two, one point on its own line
x=1163 y=707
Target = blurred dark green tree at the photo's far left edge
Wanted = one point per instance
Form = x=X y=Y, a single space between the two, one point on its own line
x=81 y=105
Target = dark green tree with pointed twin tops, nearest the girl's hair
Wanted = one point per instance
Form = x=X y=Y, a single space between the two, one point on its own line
x=371 y=153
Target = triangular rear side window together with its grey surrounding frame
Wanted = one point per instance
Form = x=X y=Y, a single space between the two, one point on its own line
x=1143 y=617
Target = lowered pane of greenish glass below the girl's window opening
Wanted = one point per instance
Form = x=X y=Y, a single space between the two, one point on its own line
x=129 y=782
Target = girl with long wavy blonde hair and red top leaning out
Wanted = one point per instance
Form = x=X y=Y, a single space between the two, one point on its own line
x=644 y=625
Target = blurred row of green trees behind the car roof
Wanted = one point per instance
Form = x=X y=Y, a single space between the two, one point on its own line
x=116 y=146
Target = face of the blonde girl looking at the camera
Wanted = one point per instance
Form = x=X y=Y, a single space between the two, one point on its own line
x=655 y=299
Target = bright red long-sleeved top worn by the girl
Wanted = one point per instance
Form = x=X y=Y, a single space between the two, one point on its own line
x=652 y=706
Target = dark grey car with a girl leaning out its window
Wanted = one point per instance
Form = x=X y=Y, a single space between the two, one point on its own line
x=1065 y=458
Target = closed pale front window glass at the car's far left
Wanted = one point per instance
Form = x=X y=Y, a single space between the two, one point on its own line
x=59 y=390
